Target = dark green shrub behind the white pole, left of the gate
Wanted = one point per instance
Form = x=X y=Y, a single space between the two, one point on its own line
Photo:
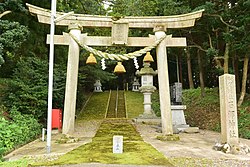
x=28 y=88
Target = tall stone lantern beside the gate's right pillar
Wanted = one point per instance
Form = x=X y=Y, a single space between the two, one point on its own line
x=147 y=87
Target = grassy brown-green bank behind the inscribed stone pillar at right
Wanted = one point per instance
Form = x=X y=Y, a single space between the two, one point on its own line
x=205 y=112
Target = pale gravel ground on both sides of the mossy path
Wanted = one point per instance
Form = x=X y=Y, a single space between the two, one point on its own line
x=191 y=150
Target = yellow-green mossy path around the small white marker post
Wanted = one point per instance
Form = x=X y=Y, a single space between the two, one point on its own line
x=135 y=152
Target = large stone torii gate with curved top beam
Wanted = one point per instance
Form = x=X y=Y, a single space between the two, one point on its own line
x=119 y=29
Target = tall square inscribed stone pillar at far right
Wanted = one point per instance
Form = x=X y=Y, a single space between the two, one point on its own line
x=228 y=110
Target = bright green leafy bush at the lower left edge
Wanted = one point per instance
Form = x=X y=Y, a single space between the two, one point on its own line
x=17 y=130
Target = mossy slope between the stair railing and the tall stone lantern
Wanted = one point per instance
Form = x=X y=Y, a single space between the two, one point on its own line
x=134 y=102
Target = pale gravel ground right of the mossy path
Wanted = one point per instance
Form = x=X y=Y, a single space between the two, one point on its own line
x=194 y=150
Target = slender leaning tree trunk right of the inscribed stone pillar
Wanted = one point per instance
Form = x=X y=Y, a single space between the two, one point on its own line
x=244 y=81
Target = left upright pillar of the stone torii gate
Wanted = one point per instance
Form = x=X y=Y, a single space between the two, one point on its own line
x=71 y=82
